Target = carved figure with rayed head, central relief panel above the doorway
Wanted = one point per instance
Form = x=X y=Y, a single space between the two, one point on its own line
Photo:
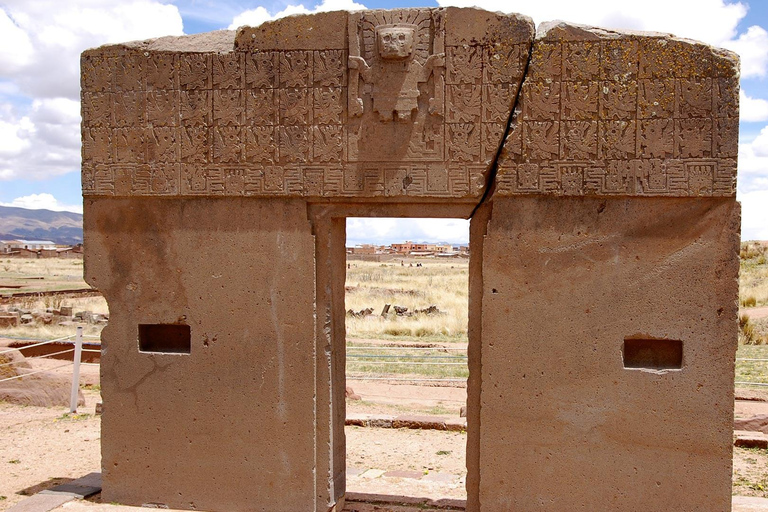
x=396 y=85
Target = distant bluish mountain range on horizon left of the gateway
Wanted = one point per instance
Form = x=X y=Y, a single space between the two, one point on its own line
x=57 y=227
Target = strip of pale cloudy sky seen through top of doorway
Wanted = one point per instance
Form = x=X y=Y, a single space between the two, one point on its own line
x=390 y=230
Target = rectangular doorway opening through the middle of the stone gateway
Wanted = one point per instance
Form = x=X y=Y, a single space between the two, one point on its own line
x=406 y=322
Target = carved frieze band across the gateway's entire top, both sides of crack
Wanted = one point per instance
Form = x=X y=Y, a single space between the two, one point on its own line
x=407 y=103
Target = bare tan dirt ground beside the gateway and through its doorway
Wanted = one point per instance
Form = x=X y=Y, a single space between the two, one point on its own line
x=42 y=447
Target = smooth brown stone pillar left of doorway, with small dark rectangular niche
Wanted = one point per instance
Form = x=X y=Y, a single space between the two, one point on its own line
x=226 y=422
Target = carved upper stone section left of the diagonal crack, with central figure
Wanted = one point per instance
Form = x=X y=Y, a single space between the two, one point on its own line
x=301 y=106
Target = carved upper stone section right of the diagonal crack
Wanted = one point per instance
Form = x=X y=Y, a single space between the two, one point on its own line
x=623 y=113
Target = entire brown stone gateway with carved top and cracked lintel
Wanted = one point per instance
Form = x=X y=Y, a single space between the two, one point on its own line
x=598 y=169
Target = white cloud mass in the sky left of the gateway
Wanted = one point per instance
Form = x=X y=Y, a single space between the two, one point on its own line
x=40 y=46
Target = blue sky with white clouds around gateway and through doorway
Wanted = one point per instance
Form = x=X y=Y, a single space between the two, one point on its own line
x=40 y=43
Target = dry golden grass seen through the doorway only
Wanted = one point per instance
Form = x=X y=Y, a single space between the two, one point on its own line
x=437 y=282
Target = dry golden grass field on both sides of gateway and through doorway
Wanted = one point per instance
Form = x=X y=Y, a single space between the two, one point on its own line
x=440 y=283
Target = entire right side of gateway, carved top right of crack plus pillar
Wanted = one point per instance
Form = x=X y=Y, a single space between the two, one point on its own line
x=609 y=280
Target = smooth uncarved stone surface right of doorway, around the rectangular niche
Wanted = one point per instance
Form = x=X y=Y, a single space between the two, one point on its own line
x=565 y=281
